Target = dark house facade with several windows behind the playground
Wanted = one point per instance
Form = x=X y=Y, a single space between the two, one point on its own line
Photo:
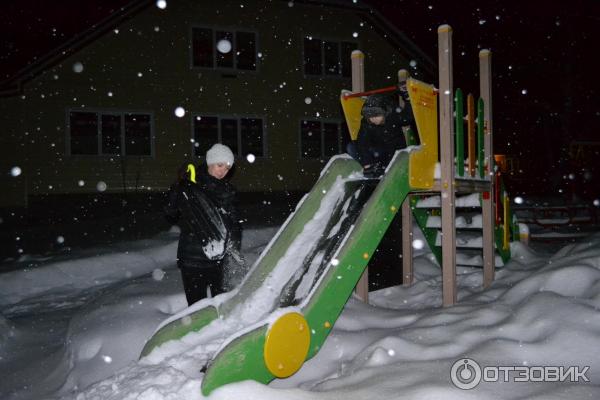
x=121 y=107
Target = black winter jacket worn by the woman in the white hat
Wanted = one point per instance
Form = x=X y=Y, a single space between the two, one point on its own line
x=206 y=213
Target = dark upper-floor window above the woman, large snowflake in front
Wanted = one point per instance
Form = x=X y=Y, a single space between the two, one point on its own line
x=223 y=49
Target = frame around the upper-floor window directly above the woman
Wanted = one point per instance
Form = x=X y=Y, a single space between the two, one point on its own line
x=234 y=31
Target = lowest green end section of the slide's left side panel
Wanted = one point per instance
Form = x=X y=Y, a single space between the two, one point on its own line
x=180 y=327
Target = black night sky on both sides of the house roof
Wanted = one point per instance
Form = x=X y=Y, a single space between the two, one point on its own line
x=545 y=66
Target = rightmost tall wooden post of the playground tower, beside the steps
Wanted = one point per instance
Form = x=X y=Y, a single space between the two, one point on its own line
x=487 y=204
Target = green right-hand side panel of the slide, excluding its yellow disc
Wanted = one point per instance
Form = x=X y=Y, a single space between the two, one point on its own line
x=243 y=358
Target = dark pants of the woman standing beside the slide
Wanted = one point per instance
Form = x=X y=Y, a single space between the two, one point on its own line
x=198 y=277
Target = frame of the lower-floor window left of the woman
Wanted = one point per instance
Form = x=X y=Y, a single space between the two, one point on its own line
x=112 y=112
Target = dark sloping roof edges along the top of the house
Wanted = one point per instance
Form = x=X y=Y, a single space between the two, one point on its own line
x=13 y=83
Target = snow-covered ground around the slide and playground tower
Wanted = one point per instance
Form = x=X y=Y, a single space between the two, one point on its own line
x=73 y=328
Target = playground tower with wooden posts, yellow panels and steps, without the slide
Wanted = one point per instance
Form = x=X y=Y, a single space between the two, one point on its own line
x=456 y=178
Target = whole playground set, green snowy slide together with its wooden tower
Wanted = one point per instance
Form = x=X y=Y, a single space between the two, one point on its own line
x=282 y=313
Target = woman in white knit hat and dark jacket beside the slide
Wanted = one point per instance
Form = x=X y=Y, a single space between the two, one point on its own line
x=203 y=205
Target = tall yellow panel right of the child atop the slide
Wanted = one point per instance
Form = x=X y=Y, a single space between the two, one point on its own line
x=423 y=98
